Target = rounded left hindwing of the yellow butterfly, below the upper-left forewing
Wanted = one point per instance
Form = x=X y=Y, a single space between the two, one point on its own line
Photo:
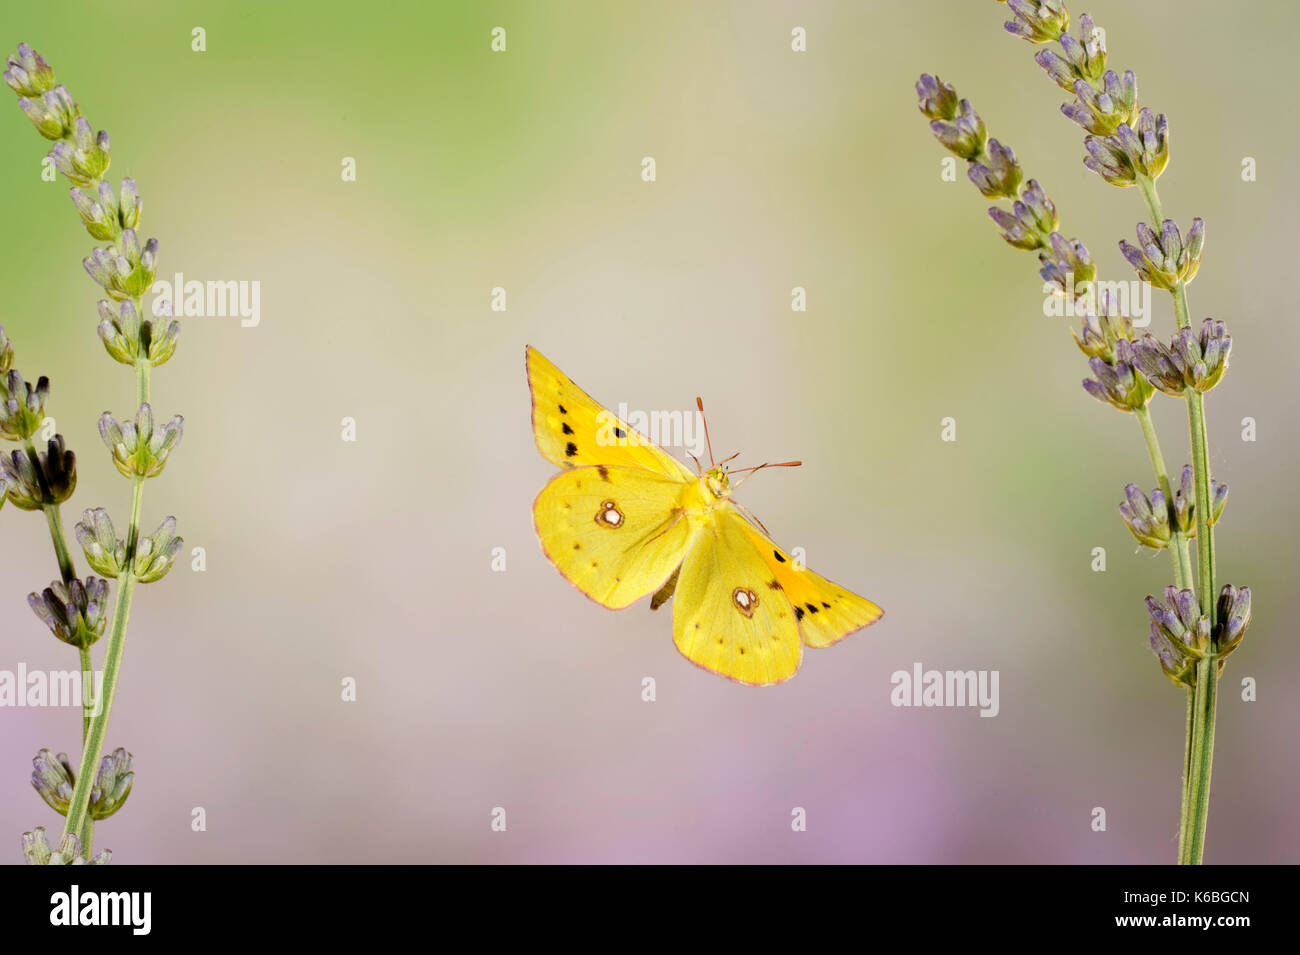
x=617 y=533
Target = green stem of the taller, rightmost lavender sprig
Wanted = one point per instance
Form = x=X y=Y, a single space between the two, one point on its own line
x=1204 y=698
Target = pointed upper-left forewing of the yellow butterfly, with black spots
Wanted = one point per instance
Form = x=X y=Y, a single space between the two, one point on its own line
x=574 y=431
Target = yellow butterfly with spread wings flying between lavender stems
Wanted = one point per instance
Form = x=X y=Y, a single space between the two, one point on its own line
x=626 y=520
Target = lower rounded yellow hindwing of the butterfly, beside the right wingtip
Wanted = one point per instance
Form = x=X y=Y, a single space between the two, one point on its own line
x=729 y=618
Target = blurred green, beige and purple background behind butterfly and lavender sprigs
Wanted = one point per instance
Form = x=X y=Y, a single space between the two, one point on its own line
x=523 y=171
